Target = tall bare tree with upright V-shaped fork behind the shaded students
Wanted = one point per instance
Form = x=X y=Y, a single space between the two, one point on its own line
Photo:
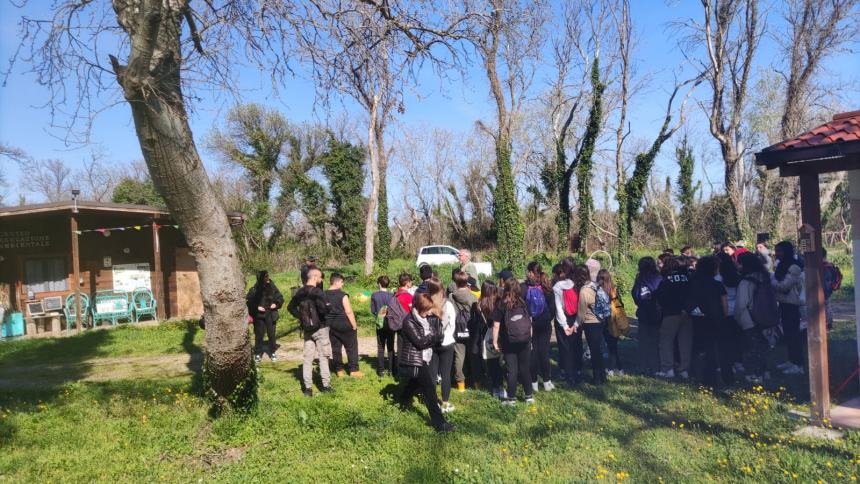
x=730 y=33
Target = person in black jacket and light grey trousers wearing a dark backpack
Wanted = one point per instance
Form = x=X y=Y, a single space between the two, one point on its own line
x=309 y=306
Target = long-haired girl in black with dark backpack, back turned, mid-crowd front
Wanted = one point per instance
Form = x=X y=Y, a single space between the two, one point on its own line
x=512 y=331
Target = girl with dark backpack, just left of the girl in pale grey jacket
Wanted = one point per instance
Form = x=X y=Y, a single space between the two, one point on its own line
x=753 y=274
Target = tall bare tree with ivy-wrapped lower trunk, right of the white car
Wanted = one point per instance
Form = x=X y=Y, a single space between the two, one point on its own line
x=508 y=36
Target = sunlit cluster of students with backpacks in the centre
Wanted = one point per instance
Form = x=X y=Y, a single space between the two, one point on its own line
x=496 y=336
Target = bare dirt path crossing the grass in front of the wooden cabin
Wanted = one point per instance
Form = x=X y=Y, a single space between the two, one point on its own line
x=134 y=367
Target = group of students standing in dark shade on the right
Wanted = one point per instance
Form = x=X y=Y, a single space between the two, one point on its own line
x=722 y=313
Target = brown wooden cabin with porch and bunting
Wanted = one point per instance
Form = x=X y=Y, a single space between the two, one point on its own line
x=119 y=247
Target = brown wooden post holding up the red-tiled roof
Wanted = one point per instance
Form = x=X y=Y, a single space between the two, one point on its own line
x=819 y=379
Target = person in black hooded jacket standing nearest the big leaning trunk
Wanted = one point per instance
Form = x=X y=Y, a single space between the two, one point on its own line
x=264 y=300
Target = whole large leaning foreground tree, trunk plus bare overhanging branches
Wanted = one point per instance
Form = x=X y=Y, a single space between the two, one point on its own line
x=162 y=50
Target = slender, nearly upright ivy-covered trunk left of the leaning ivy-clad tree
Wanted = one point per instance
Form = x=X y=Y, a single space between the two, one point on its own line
x=584 y=161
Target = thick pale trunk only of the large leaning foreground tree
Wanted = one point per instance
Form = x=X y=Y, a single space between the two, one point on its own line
x=151 y=85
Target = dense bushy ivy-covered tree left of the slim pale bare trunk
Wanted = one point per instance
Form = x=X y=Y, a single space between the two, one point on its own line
x=343 y=166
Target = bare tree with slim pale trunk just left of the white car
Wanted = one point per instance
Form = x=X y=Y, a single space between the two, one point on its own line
x=371 y=52
